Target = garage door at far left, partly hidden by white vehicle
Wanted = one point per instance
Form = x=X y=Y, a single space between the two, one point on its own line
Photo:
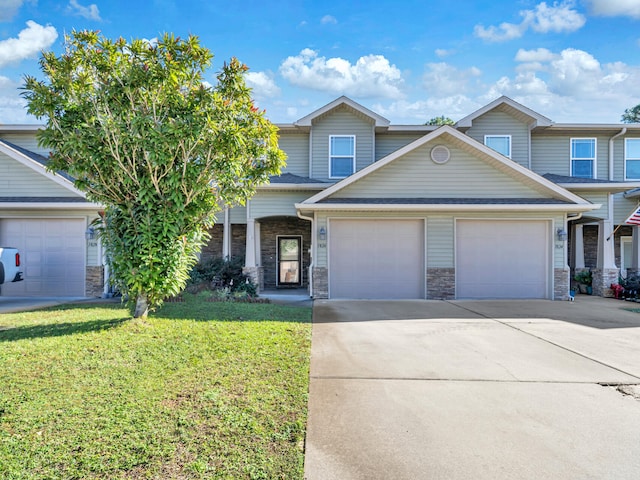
x=52 y=253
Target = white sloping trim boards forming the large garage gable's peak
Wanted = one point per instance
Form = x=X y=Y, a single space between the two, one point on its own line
x=446 y=129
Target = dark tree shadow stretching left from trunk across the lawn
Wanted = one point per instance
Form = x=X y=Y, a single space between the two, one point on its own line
x=12 y=334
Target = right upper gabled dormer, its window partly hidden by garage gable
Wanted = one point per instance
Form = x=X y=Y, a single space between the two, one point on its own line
x=505 y=126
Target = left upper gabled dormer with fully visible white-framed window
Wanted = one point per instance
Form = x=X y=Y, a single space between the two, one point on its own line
x=341 y=139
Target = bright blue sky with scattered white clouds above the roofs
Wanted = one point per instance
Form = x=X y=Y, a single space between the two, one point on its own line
x=574 y=61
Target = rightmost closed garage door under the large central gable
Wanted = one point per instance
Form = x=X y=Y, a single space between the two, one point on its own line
x=502 y=259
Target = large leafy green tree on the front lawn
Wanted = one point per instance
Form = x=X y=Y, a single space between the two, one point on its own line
x=144 y=135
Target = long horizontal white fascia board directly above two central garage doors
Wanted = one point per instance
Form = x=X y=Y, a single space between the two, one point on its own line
x=447 y=207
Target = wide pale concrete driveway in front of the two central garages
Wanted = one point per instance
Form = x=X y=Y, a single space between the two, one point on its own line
x=474 y=390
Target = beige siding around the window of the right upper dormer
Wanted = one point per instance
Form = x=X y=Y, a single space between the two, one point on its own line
x=500 y=123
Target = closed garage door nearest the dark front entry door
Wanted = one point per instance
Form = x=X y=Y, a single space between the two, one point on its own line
x=376 y=259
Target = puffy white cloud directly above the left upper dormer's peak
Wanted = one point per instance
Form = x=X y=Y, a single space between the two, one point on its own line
x=370 y=76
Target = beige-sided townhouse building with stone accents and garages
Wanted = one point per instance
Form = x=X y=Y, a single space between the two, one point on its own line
x=505 y=203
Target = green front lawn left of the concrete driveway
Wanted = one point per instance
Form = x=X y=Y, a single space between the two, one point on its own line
x=197 y=390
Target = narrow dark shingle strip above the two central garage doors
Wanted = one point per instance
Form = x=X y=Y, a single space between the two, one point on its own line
x=447 y=201
